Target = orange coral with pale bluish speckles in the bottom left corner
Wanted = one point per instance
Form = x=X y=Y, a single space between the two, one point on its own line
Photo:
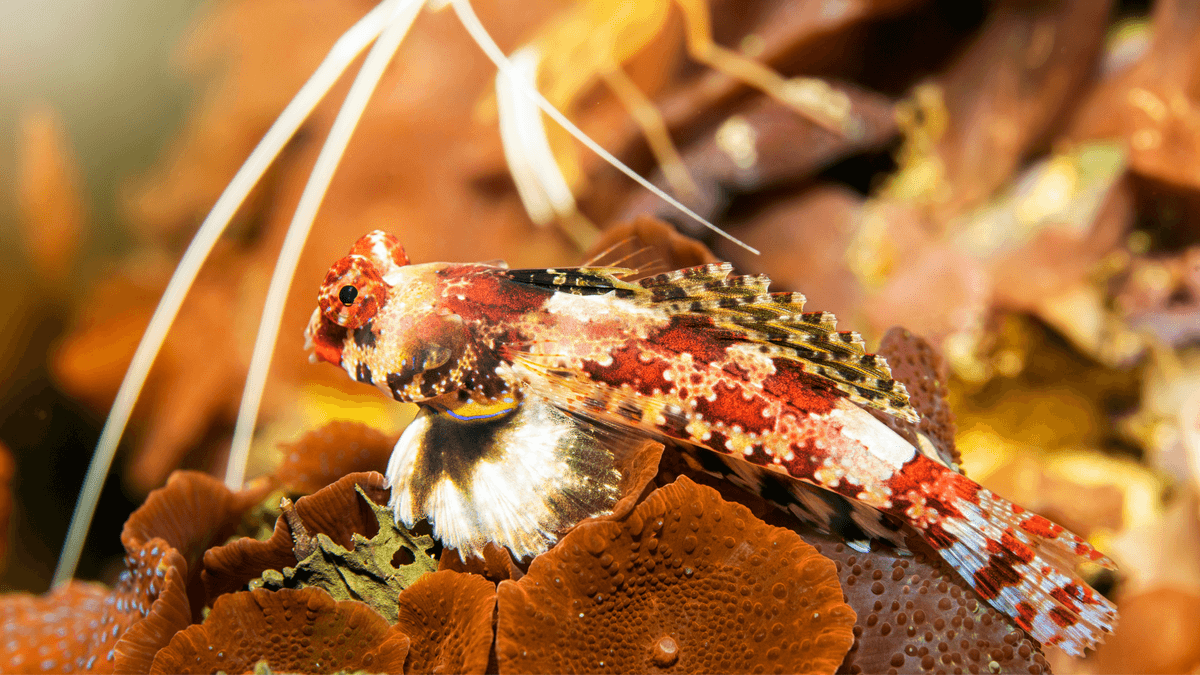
x=86 y=629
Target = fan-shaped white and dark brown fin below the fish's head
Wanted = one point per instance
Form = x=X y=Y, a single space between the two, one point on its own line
x=513 y=473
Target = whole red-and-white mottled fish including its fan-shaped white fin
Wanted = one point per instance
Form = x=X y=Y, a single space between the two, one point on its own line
x=532 y=380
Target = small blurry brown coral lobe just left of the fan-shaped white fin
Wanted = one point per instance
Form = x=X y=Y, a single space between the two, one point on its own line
x=323 y=456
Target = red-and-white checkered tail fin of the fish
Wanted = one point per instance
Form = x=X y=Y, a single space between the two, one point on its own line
x=1024 y=565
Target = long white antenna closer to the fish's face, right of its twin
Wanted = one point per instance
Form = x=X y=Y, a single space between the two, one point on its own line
x=401 y=15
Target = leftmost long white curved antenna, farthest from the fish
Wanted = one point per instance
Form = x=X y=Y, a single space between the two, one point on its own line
x=344 y=52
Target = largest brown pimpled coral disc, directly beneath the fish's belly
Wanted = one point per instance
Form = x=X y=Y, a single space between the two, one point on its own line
x=686 y=583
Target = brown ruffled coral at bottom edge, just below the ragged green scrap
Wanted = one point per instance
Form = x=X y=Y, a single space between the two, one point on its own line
x=303 y=631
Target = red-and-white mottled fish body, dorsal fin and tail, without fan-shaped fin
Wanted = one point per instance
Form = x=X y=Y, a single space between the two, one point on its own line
x=713 y=361
